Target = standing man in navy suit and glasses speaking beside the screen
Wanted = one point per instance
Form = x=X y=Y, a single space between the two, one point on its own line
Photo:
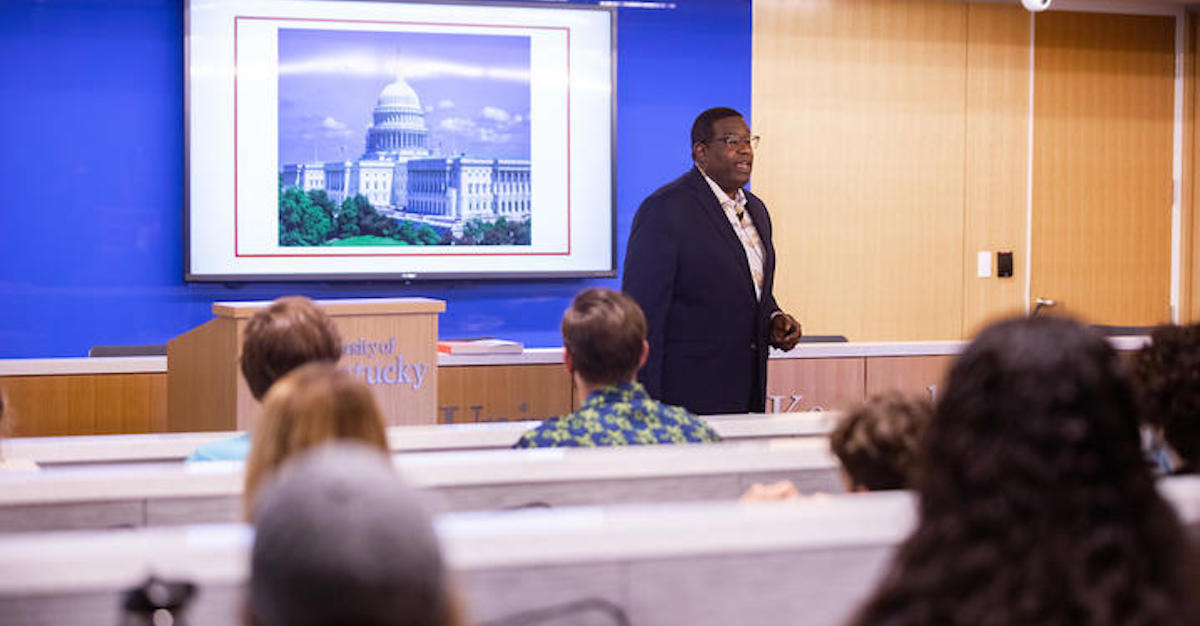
x=701 y=264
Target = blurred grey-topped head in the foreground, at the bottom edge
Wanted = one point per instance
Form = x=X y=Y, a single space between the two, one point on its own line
x=340 y=540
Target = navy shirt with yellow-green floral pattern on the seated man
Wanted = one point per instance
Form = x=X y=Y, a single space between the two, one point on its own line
x=620 y=416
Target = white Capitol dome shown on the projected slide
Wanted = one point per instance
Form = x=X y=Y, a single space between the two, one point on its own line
x=398 y=128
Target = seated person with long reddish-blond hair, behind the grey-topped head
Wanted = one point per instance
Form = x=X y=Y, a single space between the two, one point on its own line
x=315 y=405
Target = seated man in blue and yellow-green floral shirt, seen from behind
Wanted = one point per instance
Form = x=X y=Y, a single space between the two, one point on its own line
x=604 y=344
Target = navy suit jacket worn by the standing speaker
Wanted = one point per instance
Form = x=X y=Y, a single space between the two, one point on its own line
x=688 y=270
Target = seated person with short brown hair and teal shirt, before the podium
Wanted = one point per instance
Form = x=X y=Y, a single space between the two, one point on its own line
x=289 y=334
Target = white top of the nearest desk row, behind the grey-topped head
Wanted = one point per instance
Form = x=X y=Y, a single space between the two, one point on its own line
x=218 y=553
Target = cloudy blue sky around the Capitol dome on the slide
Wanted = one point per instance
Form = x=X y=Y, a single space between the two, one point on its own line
x=475 y=91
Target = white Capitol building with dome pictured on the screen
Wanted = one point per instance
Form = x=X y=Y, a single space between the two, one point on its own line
x=403 y=178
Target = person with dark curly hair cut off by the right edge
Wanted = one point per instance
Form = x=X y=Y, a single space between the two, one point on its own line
x=1167 y=378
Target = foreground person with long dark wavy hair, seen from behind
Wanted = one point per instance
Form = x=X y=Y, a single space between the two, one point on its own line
x=1036 y=504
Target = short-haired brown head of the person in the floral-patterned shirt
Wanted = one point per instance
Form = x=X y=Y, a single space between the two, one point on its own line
x=604 y=332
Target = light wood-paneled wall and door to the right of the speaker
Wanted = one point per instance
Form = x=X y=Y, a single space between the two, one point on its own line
x=897 y=148
